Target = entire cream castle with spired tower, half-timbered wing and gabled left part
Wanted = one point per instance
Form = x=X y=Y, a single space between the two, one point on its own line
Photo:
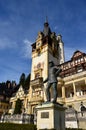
x=71 y=82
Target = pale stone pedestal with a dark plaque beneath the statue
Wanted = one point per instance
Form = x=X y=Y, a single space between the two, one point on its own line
x=50 y=116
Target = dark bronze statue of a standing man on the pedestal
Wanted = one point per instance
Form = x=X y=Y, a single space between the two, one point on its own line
x=52 y=81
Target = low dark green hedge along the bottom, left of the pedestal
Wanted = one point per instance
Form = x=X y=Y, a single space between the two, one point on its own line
x=10 y=126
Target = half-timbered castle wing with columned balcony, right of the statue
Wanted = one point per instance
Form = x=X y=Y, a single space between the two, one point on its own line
x=74 y=78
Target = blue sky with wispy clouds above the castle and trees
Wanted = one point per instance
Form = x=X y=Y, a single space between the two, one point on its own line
x=21 y=20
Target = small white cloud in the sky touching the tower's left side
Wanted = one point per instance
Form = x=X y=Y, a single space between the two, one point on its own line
x=26 y=50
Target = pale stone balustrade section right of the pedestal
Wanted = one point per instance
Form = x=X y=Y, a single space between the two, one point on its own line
x=75 y=119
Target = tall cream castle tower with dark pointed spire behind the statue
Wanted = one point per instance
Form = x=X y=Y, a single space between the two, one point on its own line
x=47 y=47
